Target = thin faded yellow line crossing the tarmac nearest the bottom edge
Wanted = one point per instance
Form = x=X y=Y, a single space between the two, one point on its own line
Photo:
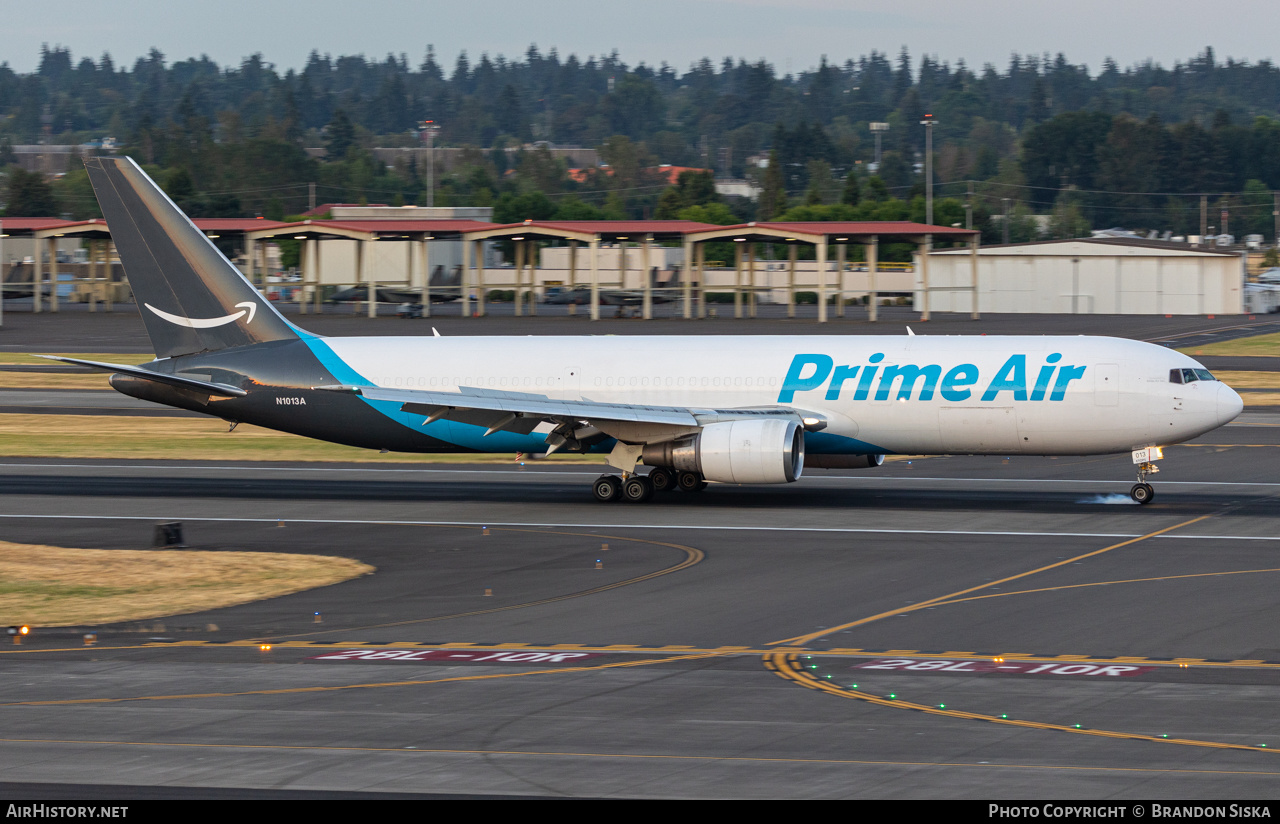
x=424 y=752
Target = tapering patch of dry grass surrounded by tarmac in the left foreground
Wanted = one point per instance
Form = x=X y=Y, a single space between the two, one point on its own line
x=53 y=587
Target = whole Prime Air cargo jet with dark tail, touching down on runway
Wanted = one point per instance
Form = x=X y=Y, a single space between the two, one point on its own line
x=738 y=410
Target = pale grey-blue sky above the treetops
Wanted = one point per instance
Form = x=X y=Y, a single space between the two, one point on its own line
x=793 y=35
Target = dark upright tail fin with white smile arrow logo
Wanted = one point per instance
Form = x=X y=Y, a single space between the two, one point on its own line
x=191 y=297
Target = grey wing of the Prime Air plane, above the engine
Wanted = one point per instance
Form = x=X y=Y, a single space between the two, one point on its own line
x=523 y=413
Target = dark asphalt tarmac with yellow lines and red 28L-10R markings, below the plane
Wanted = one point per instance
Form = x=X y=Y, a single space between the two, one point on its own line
x=711 y=651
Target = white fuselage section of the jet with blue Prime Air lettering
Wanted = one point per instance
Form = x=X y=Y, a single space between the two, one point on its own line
x=902 y=395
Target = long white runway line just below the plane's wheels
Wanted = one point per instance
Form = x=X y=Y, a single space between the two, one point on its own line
x=639 y=527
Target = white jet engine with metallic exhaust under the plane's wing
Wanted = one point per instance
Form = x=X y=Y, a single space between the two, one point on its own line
x=758 y=451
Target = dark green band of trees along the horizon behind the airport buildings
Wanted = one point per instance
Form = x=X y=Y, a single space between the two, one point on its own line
x=1133 y=147
